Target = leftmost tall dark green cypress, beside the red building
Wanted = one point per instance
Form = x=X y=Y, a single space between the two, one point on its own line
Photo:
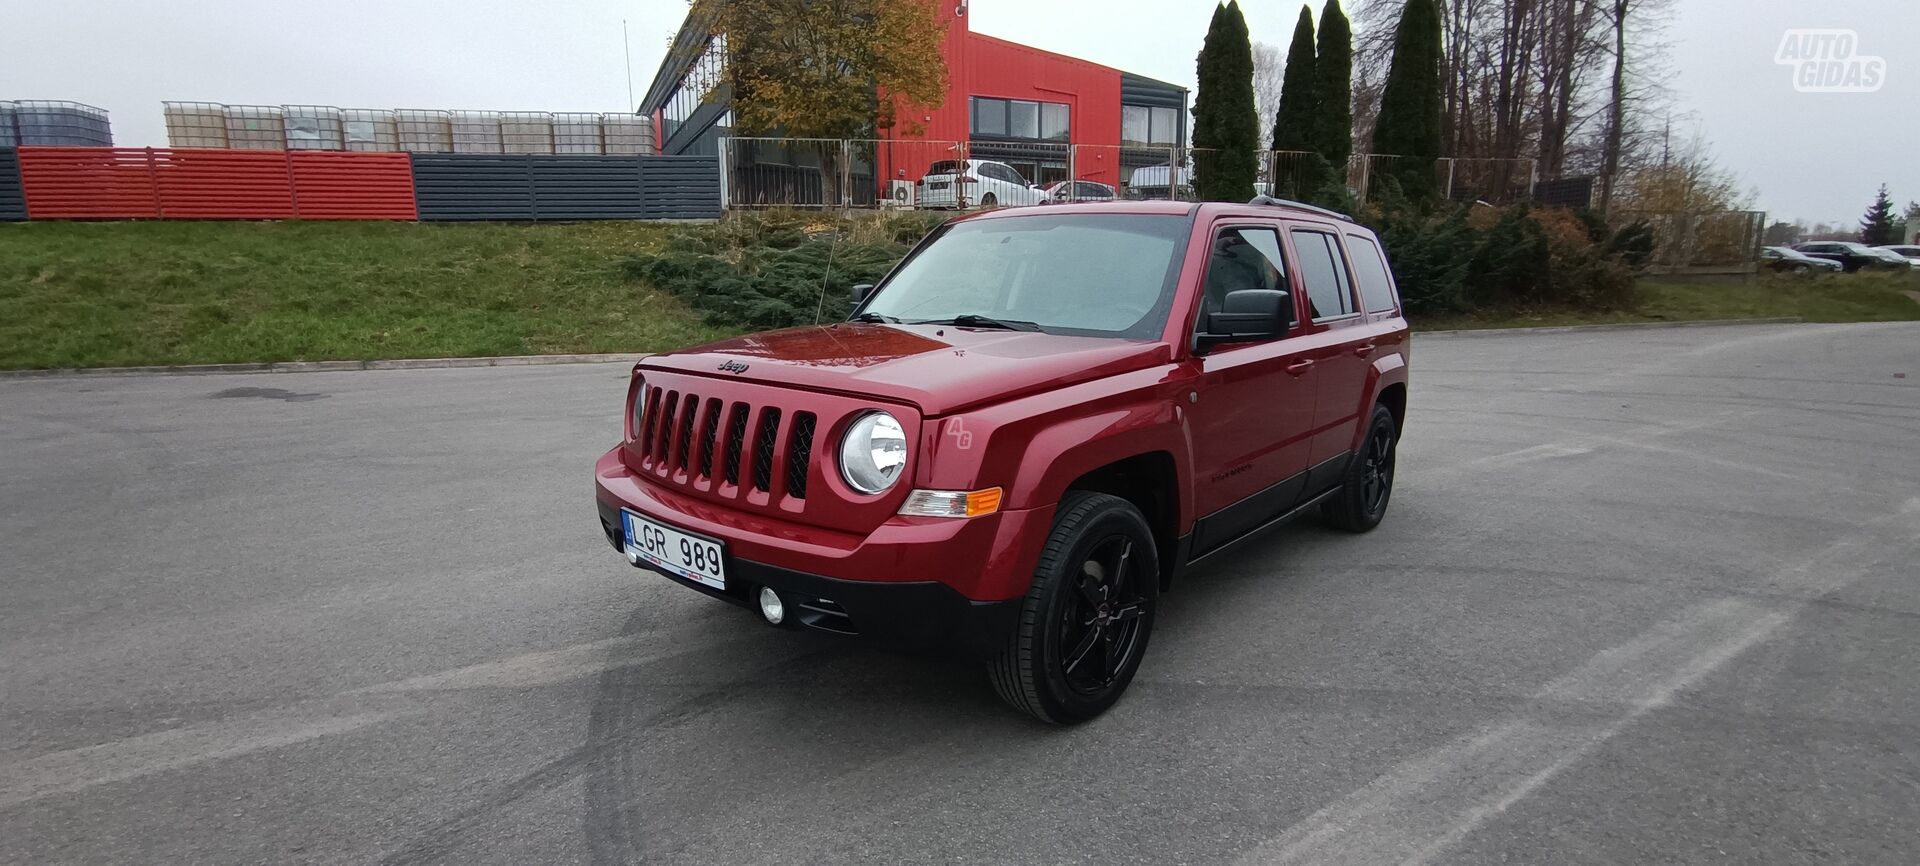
x=1226 y=124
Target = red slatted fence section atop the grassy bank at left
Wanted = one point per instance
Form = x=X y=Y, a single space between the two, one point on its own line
x=204 y=183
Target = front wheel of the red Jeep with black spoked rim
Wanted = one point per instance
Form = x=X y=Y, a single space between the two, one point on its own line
x=1088 y=619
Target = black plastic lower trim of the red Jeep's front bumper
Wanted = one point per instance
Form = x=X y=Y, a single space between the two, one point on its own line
x=917 y=615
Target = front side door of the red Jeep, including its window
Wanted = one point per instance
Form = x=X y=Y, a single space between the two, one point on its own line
x=1253 y=404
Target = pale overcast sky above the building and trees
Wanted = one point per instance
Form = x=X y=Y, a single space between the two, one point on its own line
x=1810 y=156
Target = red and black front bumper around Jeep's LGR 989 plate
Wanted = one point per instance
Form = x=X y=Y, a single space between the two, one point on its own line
x=923 y=583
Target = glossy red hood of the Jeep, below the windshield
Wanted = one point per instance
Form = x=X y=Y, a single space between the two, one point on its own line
x=938 y=368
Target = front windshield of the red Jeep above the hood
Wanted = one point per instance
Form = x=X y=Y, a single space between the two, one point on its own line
x=1082 y=274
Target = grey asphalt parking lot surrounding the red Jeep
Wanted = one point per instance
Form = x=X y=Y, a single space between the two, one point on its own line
x=1643 y=596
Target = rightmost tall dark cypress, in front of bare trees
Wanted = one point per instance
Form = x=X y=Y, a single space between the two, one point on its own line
x=1410 y=105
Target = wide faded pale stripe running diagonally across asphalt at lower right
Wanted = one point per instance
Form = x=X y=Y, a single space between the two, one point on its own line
x=1429 y=804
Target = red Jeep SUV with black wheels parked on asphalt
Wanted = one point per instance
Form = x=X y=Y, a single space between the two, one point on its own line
x=1026 y=433
